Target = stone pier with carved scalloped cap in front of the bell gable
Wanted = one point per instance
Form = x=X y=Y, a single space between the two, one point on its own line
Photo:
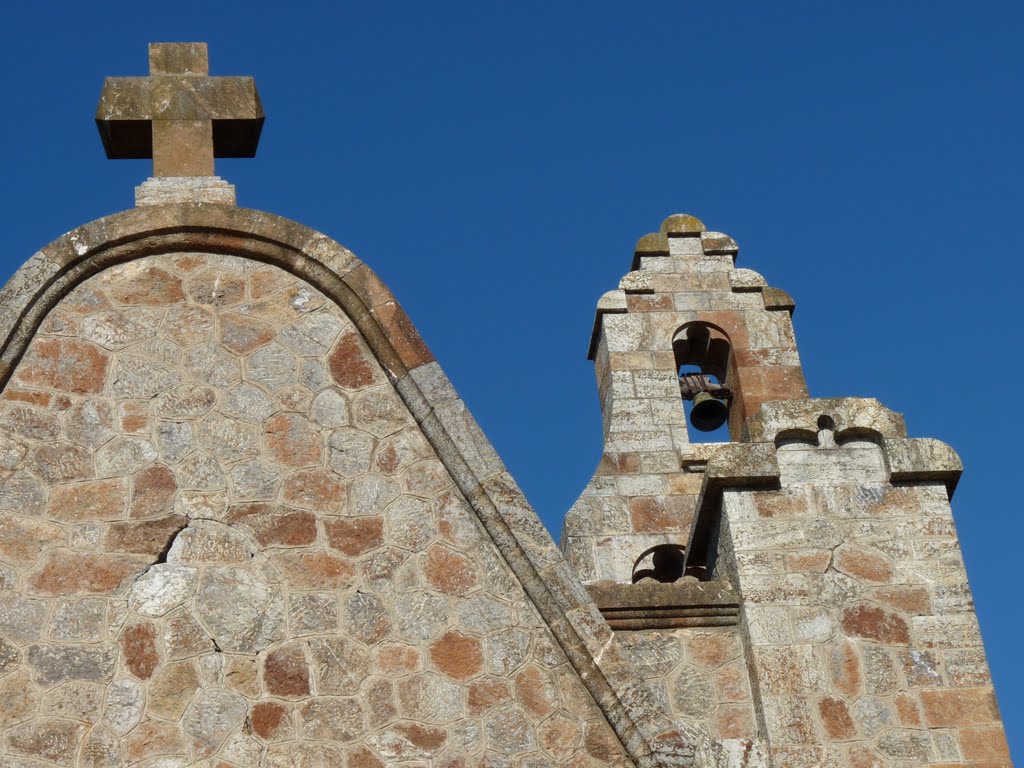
x=864 y=643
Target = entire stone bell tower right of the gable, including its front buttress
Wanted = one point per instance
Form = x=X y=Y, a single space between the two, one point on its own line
x=794 y=587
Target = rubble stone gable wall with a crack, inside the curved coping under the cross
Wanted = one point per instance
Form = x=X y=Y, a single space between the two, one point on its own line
x=225 y=541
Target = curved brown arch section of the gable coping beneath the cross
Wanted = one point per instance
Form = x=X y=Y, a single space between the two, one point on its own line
x=55 y=272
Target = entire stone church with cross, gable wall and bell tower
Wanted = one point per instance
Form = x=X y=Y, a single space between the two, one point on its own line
x=245 y=520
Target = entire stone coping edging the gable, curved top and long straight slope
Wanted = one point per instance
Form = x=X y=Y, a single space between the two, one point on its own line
x=649 y=736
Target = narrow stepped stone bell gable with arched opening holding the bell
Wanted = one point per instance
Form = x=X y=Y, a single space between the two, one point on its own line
x=684 y=309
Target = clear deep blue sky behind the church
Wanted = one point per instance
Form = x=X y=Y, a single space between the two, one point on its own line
x=496 y=162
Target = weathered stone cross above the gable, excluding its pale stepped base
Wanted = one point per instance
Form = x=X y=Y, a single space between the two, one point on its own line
x=180 y=116
